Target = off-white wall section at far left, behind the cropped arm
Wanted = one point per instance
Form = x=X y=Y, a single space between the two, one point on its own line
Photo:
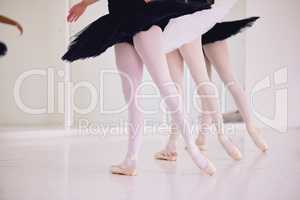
x=40 y=47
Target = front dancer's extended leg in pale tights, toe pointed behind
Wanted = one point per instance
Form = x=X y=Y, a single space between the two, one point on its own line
x=148 y=44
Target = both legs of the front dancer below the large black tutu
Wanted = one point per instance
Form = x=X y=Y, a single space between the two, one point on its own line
x=148 y=50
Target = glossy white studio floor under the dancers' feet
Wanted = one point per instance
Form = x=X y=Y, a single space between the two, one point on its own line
x=77 y=168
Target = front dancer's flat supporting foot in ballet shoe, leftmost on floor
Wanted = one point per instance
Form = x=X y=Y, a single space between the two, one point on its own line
x=127 y=168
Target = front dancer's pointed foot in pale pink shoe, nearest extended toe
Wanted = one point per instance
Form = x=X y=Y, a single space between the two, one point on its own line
x=201 y=161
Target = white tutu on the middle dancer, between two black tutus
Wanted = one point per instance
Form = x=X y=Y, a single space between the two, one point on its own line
x=187 y=28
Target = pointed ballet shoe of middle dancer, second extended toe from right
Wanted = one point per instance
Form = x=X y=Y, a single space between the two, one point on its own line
x=229 y=147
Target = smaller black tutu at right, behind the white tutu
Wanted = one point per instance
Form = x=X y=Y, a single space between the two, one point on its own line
x=224 y=30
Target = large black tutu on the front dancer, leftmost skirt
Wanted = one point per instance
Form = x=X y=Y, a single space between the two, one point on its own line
x=125 y=19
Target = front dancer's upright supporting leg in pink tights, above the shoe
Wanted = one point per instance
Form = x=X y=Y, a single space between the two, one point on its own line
x=130 y=67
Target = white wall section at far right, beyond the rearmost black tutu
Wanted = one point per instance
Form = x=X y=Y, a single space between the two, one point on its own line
x=274 y=45
